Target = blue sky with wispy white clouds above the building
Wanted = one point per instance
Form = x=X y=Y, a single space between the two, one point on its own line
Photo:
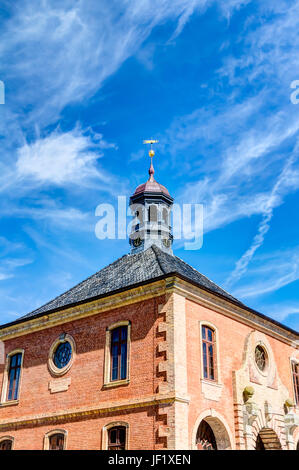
x=87 y=81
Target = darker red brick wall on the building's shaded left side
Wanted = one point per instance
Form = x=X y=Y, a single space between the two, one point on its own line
x=87 y=375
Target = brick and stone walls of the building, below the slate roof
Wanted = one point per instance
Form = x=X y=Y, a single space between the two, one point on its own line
x=166 y=397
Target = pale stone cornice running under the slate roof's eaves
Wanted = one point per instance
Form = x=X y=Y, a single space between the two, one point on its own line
x=147 y=291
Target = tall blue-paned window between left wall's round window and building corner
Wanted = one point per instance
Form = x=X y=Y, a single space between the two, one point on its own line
x=119 y=338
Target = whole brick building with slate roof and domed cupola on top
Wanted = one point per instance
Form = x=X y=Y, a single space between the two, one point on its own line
x=148 y=354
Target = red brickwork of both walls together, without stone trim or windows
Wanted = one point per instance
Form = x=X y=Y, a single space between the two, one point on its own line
x=87 y=374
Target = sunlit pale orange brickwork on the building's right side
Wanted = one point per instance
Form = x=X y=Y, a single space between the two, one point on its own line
x=231 y=337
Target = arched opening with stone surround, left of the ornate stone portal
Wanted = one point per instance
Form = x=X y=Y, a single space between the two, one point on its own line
x=211 y=433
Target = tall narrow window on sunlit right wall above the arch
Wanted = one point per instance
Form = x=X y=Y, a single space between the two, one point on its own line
x=208 y=353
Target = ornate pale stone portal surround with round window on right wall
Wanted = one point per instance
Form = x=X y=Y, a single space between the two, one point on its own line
x=265 y=411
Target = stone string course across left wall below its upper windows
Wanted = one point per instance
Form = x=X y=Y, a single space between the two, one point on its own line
x=78 y=414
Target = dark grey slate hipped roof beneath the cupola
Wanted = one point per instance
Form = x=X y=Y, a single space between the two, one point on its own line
x=128 y=271
